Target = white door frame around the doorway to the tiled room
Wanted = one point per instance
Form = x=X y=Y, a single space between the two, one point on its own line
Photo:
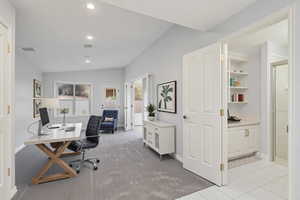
x=290 y=13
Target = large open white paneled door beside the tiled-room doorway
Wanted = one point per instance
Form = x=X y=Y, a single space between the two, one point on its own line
x=203 y=84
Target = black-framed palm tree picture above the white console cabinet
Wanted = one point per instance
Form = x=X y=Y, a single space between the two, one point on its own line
x=166 y=97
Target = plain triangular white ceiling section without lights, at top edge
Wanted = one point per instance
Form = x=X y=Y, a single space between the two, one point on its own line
x=197 y=14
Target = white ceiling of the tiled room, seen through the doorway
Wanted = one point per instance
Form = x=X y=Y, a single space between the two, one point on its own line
x=277 y=33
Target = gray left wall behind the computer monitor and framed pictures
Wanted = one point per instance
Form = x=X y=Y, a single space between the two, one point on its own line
x=25 y=73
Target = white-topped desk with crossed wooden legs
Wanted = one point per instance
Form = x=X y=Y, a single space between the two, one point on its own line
x=62 y=140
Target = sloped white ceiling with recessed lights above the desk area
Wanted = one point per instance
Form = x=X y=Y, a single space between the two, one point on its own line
x=57 y=30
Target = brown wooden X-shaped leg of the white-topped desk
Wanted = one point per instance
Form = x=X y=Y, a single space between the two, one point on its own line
x=54 y=158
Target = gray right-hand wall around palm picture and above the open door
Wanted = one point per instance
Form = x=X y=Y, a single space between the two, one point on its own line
x=164 y=59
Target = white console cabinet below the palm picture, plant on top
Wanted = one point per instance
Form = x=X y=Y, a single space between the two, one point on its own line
x=159 y=136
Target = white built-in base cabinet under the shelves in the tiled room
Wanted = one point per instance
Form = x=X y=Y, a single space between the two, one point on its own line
x=243 y=140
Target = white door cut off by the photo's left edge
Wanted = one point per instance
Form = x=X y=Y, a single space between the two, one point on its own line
x=4 y=114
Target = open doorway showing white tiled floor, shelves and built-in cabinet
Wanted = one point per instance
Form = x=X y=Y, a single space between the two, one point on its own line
x=263 y=112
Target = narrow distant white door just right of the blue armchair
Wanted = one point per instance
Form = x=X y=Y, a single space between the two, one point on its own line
x=128 y=106
